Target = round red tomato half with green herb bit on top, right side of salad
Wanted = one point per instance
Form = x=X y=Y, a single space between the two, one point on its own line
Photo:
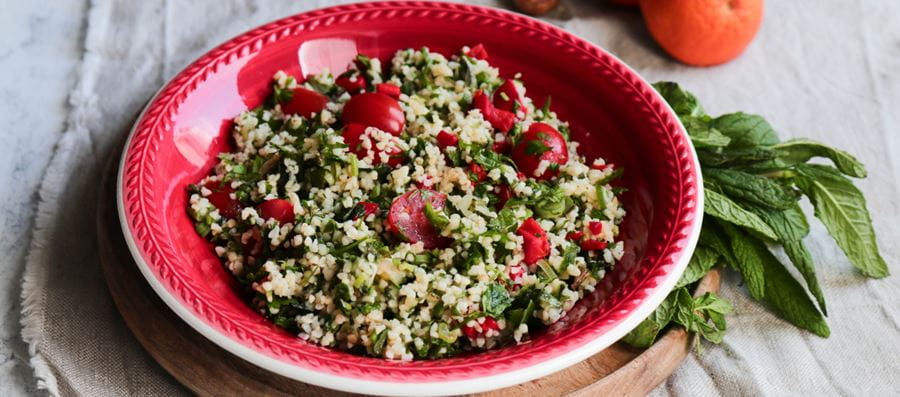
x=557 y=151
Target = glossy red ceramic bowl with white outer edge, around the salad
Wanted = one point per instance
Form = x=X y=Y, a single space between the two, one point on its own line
x=612 y=111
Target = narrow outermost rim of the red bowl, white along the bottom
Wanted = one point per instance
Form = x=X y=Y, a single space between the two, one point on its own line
x=411 y=388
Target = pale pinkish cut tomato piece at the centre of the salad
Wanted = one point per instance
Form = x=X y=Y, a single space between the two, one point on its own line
x=406 y=217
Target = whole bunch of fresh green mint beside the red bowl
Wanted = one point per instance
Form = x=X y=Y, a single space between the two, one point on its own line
x=753 y=183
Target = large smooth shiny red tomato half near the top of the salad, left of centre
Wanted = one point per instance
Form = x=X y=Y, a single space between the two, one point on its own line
x=372 y=109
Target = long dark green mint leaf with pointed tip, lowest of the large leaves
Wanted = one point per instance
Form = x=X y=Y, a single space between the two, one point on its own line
x=787 y=297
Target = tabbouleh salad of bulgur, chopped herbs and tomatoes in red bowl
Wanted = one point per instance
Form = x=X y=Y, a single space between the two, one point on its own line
x=413 y=210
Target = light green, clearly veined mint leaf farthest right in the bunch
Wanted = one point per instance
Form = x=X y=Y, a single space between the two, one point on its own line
x=842 y=208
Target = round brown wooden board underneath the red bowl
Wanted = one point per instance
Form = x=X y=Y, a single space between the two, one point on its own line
x=208 y=370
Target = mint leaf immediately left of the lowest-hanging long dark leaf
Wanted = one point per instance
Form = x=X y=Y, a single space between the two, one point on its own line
x=748 y=255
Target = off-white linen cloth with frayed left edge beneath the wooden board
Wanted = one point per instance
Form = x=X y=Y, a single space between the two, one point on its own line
x=824 y=70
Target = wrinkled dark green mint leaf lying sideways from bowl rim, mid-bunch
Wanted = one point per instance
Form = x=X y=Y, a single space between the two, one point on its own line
x=754 y=189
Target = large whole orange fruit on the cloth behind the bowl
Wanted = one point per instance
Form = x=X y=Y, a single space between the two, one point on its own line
x=703 y=32
